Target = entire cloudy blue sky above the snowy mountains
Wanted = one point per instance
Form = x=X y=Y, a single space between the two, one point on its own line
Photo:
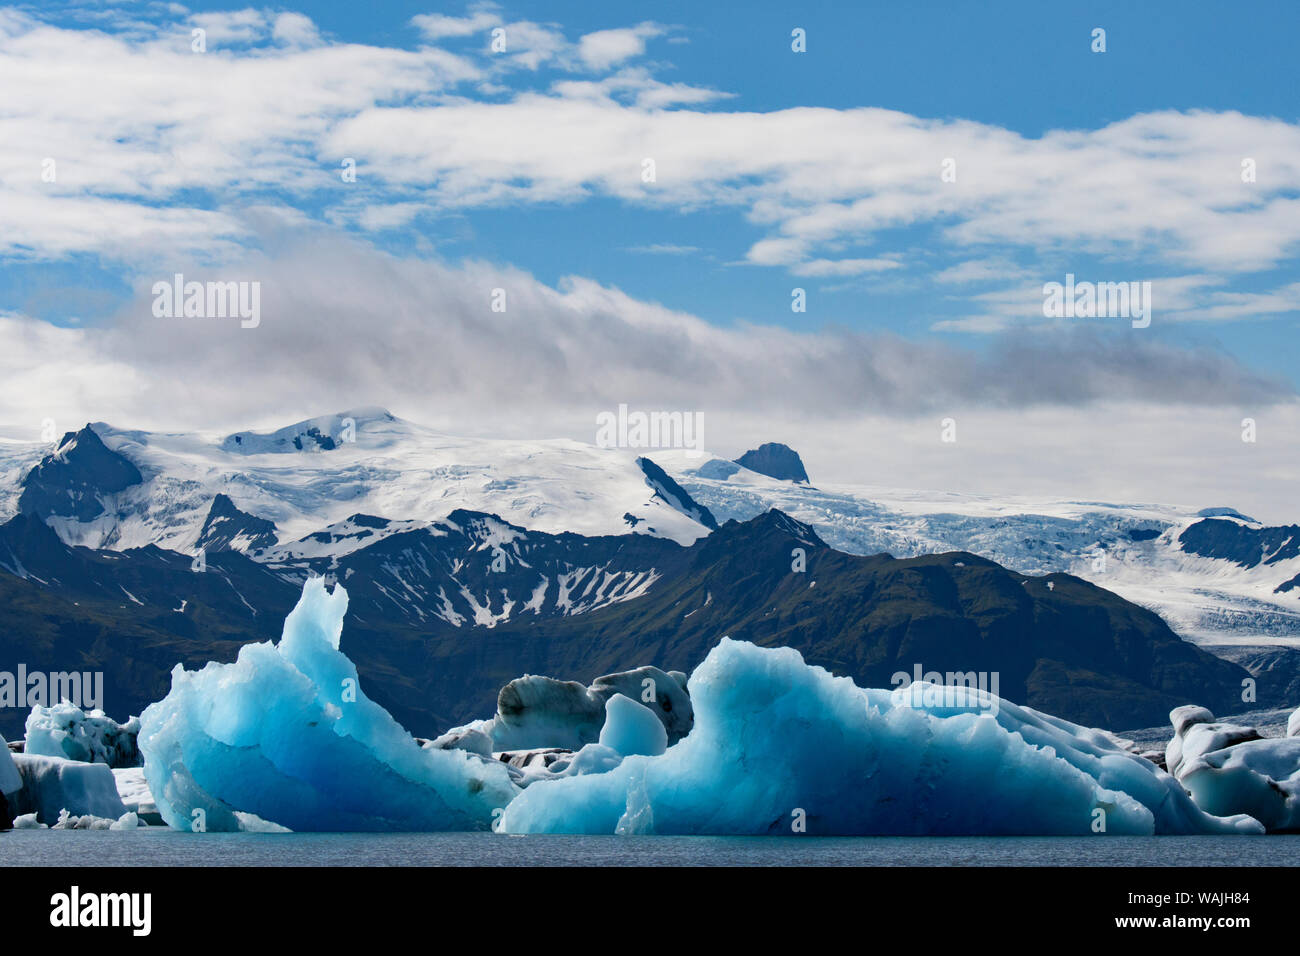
x=653 y=188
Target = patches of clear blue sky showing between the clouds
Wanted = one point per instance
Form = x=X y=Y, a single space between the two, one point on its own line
x=1022 y=67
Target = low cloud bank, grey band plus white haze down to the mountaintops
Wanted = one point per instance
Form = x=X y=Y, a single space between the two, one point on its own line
x=1060 y=413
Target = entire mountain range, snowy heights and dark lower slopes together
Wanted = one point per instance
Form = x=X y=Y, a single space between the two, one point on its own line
x=470 y=563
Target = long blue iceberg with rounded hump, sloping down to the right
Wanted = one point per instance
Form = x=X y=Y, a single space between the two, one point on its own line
x=781 y=747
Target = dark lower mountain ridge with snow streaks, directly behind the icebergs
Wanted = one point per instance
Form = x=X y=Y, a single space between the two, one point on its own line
x=441 y=617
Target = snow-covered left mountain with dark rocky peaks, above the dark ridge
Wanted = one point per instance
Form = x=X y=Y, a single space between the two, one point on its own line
x=161 y=488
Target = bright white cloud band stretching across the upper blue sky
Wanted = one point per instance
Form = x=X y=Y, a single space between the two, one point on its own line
x=141 y=122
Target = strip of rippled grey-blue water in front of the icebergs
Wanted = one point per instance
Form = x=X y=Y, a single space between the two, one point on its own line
x=163 y=847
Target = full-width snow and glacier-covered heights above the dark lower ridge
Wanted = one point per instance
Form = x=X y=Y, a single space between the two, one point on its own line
x=311 y=494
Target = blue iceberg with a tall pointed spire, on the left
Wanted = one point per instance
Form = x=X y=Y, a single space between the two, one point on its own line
x=287 y=734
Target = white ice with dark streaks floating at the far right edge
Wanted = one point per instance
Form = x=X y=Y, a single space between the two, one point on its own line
x=1232 y=769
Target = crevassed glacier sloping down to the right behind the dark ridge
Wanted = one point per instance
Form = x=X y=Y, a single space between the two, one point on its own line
x=1215 y=576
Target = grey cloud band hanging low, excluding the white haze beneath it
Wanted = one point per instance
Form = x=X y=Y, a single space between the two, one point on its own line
x=369 y=327
